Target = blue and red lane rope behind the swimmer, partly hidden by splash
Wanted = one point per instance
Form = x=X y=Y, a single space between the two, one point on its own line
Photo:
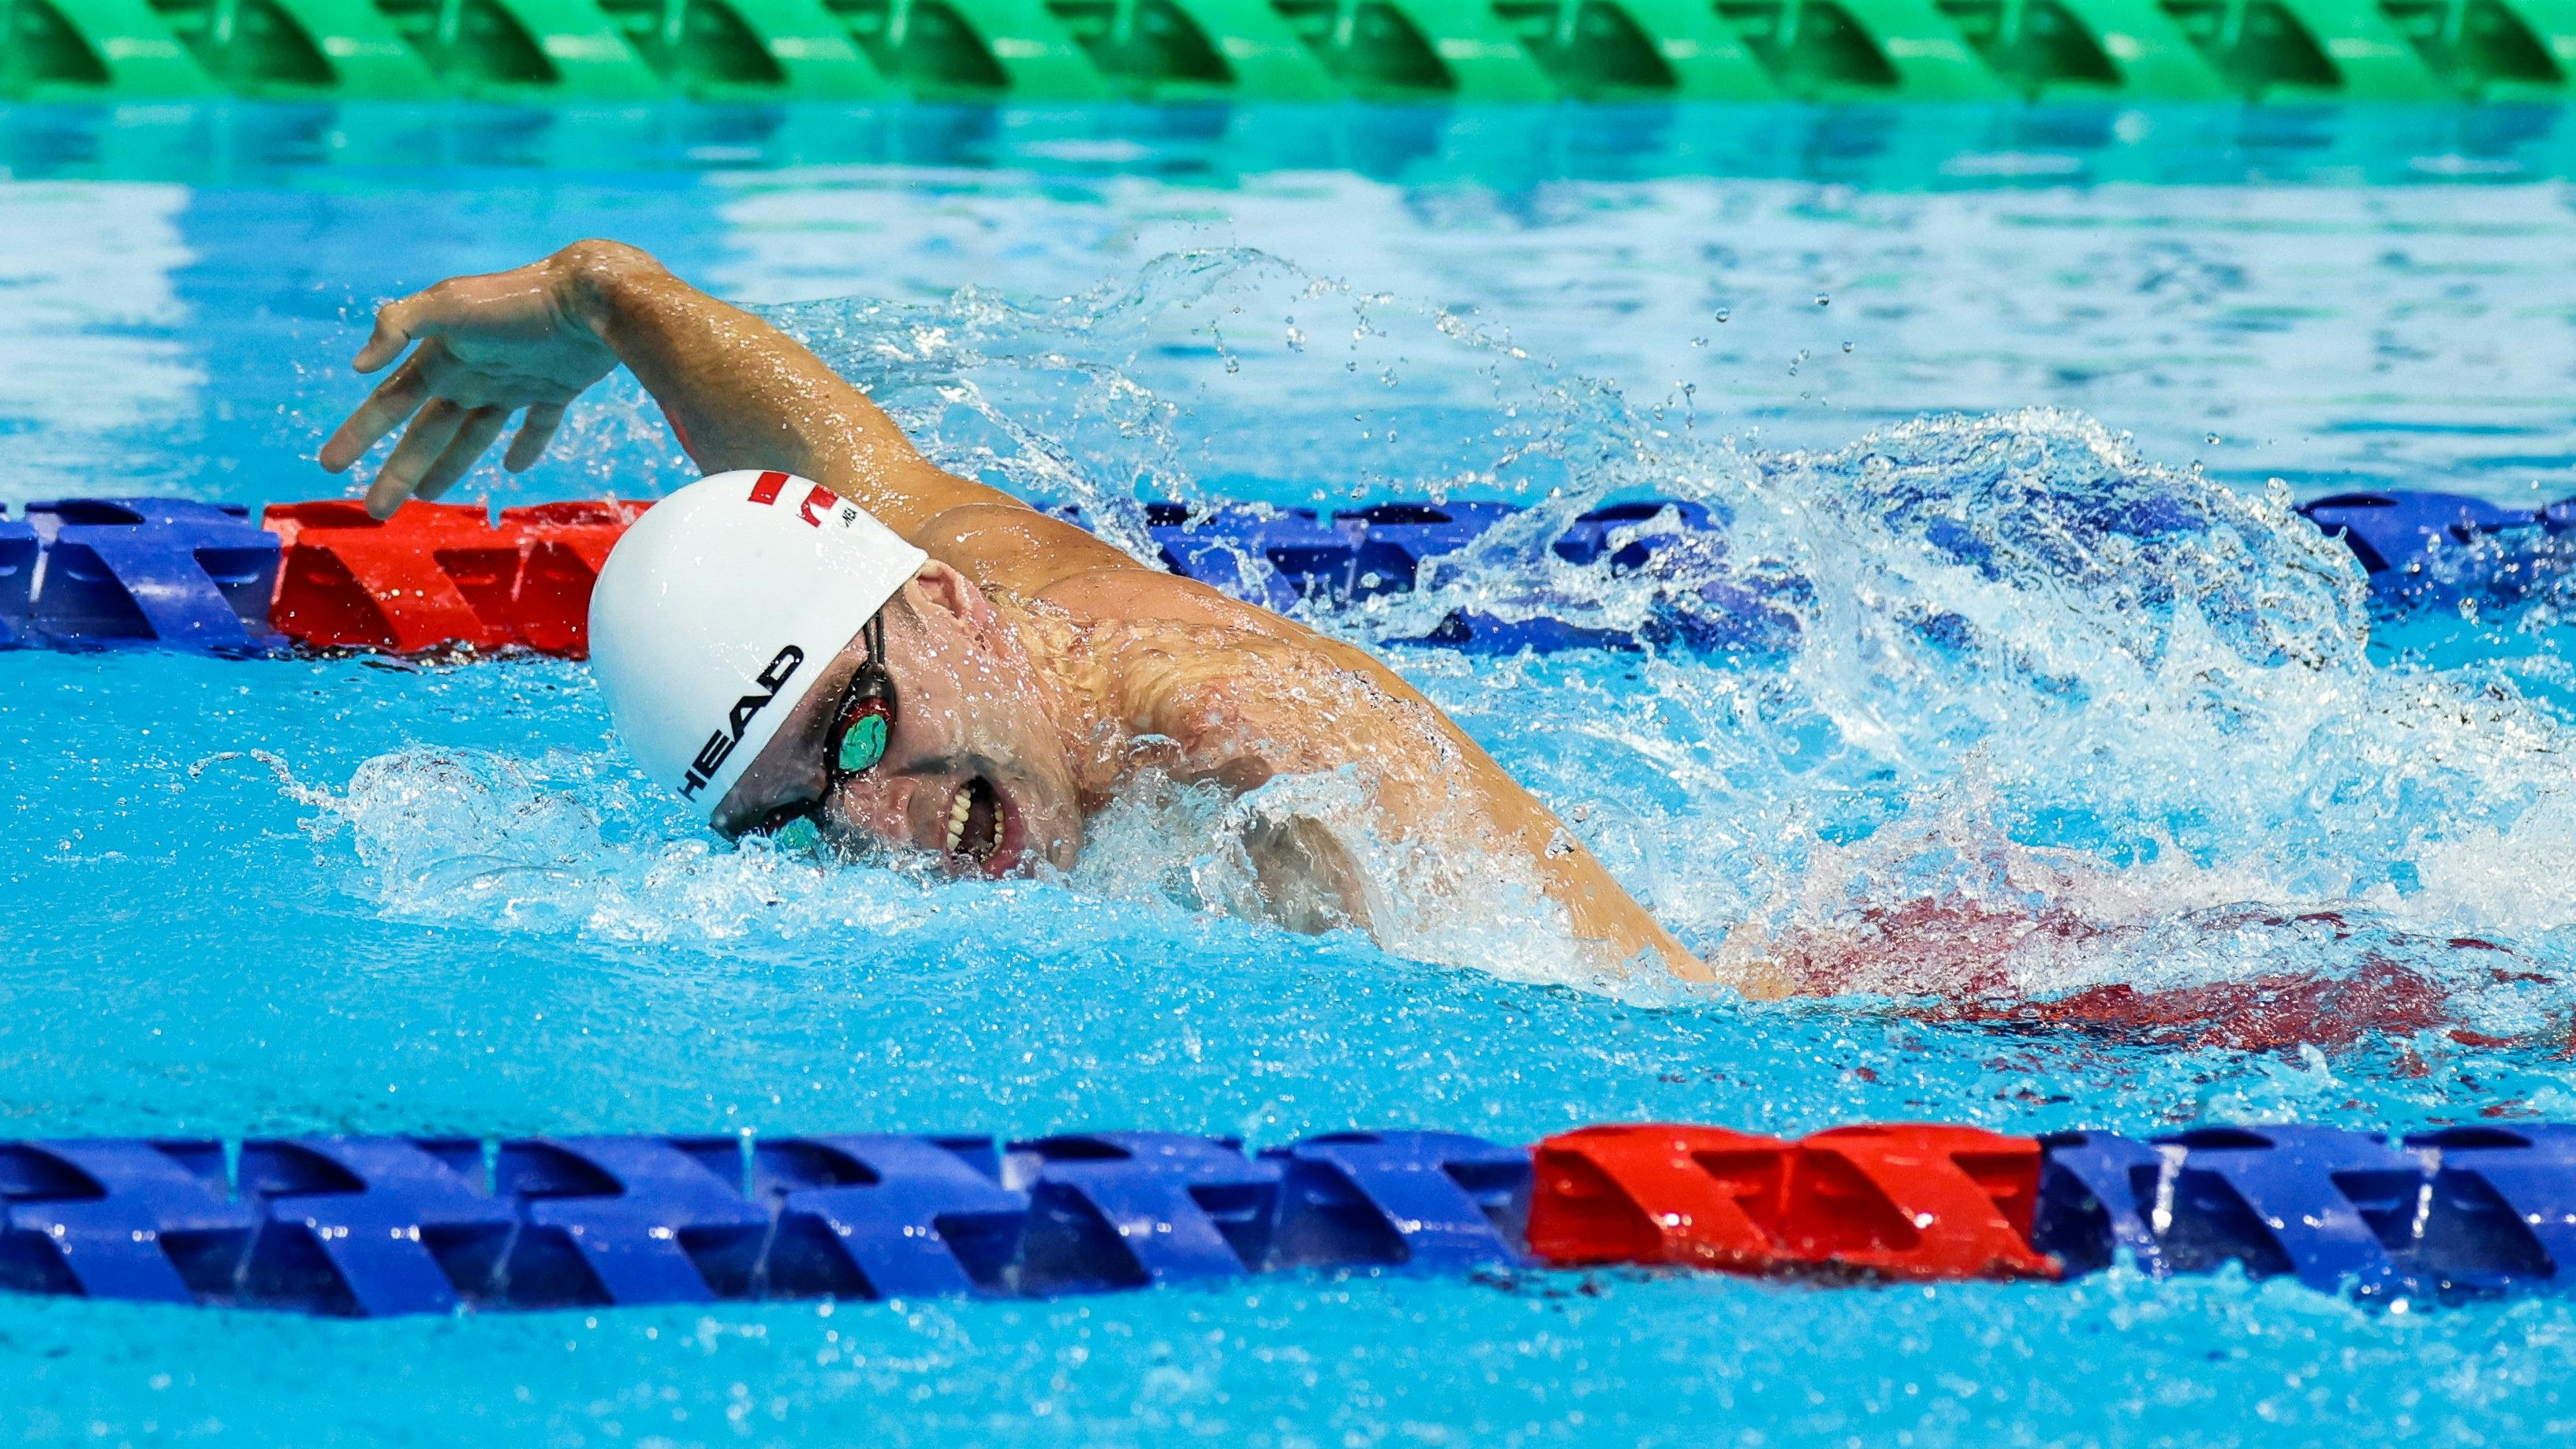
x=89 y=574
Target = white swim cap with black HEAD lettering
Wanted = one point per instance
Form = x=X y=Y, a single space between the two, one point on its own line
x=723 y=607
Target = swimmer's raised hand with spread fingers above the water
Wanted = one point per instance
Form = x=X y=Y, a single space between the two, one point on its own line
x=488 y=349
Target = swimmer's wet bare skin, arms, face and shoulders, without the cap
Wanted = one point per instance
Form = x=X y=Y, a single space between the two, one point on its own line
x=1037 y=666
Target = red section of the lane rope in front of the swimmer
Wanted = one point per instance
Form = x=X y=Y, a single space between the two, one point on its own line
x=1895 y=1203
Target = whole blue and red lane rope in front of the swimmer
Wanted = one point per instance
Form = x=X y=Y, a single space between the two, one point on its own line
x=426 y=1226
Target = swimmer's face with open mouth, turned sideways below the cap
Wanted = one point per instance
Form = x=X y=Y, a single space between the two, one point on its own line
x=972 y=772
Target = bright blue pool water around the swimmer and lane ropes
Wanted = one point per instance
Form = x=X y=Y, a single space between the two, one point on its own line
x=2085 y=785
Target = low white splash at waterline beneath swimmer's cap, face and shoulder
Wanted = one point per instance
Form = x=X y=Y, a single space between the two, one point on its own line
x=571 y=847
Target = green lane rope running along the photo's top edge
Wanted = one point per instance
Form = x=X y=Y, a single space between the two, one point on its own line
x=1292 y=50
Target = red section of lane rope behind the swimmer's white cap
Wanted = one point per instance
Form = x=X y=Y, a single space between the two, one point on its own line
x=442 y=574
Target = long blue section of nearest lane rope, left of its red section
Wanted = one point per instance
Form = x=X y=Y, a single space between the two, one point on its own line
x=403 y=1226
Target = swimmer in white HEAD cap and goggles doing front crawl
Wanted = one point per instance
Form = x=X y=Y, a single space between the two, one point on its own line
x=838 y=633
